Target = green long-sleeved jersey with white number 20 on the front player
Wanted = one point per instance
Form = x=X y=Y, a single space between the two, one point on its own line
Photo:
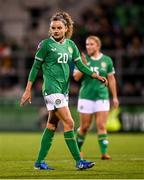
x=55 y=59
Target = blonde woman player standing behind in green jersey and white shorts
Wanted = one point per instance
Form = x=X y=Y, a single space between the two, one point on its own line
x=94 y=95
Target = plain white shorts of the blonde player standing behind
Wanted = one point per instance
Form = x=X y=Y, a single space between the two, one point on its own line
x=89 y=106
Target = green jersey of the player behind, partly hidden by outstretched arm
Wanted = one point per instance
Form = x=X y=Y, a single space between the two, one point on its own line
x=93 y=89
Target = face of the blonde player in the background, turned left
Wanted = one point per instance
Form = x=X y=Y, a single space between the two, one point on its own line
x=92 y=47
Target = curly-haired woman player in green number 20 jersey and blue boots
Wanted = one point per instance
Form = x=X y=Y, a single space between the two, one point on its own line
x=54 y=56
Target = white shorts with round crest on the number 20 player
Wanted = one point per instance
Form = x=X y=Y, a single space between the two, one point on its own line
x=57 y=100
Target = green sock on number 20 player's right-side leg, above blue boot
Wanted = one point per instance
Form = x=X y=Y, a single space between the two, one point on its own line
x=72 y=145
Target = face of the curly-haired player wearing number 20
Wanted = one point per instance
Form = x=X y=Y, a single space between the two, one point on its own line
x=58 y=30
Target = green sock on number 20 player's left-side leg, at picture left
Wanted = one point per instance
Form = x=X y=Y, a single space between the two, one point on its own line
x=46 y=142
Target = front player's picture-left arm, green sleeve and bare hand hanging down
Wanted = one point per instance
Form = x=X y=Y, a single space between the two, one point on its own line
x=39 y=58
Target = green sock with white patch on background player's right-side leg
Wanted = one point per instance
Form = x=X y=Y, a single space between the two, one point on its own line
x=103 y=143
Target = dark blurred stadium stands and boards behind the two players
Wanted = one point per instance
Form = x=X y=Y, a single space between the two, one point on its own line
x=24 y=23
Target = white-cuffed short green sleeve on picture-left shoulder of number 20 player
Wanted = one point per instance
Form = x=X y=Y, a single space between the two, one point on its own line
x=41 y=51
